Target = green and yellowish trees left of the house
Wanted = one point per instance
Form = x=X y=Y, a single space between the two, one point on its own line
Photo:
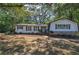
x=10 y=15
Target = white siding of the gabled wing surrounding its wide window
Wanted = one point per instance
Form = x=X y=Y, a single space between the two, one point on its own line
x=73 y=26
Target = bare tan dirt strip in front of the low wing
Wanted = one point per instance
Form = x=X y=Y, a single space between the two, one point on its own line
x=28 y=37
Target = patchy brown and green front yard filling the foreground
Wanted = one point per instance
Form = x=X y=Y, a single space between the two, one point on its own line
x=36 y=45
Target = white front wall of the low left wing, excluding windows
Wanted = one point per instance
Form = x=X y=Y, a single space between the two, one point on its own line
x=32 y=28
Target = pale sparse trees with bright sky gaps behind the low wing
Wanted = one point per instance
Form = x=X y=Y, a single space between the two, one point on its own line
x=41 y=13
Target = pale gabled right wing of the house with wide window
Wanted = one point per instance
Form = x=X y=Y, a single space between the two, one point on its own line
x=63 y=26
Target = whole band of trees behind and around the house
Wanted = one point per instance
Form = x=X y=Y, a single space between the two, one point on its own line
x=38 y=13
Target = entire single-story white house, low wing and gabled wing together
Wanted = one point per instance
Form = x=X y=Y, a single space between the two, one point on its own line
x=60 y=26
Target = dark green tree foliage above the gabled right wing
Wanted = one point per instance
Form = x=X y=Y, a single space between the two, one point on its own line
x=66 y=10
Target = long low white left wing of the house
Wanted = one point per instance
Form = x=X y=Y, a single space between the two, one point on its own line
x=31 y=28
